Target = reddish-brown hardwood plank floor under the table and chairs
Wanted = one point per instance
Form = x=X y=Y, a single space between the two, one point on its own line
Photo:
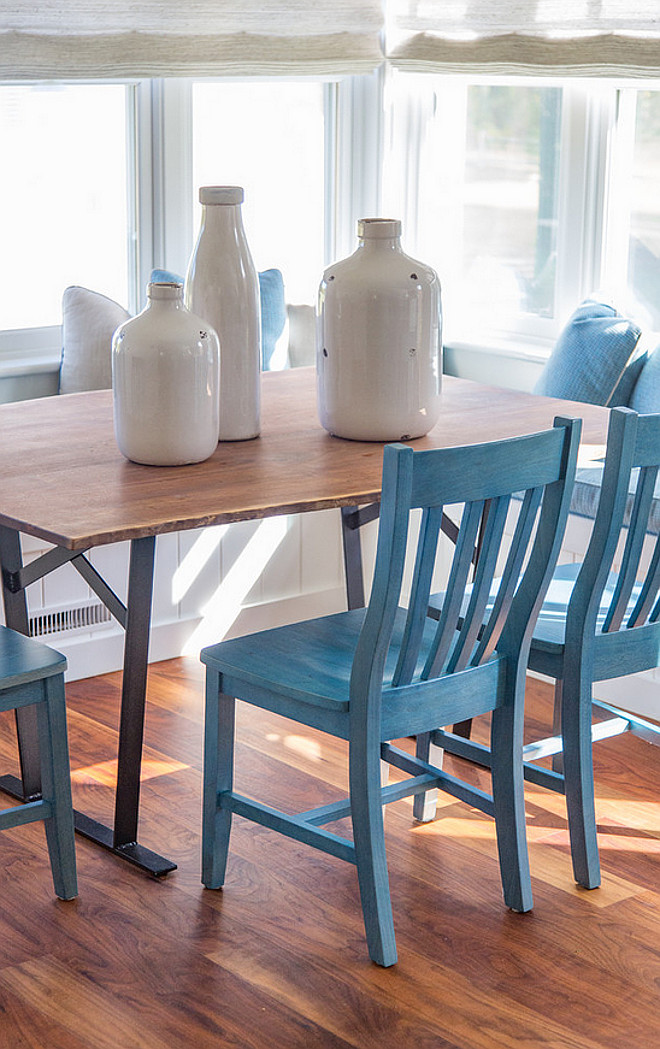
x=279 y=958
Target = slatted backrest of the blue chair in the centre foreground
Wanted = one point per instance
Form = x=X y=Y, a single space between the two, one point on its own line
x=475 y=618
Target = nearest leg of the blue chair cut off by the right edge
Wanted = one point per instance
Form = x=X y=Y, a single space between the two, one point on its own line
x=579 y=778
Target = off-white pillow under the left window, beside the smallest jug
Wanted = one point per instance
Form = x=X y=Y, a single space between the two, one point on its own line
x=89 y=324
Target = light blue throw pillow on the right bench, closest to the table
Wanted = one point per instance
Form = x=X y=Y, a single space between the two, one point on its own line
x=590 y=356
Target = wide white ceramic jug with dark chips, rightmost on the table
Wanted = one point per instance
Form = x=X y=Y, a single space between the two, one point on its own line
x=379 y=340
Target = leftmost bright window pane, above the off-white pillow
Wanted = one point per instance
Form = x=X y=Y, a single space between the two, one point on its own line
x=65 y=198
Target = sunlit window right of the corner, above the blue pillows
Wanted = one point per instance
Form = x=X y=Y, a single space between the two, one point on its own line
x=527 y=197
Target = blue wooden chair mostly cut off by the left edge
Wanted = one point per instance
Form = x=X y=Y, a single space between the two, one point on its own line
x=31 y=674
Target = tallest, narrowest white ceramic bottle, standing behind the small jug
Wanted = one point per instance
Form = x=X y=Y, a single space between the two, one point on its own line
x=222 y=286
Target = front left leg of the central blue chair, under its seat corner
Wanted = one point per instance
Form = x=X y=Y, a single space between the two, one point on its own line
x=219 y=776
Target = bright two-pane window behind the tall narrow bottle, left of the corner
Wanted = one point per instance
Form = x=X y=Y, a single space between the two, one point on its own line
x=103 y=186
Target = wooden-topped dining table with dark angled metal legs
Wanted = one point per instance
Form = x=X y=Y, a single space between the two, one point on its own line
x=65 y=481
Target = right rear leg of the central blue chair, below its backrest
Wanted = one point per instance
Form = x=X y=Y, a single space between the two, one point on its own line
x=509 y=804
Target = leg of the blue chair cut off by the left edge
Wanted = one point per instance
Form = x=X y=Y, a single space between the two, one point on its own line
x=56 y=779
